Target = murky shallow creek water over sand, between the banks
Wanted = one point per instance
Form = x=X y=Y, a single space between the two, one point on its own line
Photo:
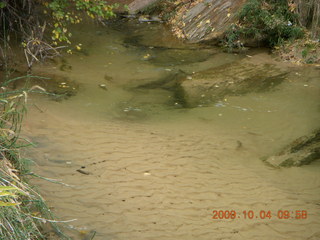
x=156 y=170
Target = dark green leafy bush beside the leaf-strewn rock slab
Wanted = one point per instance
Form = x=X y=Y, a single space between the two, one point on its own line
x=267 y=21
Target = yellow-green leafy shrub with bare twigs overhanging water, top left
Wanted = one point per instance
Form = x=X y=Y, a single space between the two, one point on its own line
x=41 y=26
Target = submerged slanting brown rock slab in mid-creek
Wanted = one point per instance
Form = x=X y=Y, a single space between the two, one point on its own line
x=230 y=79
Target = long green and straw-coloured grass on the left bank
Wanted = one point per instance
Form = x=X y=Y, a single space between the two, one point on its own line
x=23 y=212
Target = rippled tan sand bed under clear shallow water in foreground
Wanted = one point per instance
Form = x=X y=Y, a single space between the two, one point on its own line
x=150 y=183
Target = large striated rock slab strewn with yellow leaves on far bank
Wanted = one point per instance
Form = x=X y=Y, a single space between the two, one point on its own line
x=205 y=19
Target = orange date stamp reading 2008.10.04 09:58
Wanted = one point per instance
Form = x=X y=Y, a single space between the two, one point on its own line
x=262 y=214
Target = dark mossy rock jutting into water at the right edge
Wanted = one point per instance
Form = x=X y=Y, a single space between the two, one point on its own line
x=302 y=151
